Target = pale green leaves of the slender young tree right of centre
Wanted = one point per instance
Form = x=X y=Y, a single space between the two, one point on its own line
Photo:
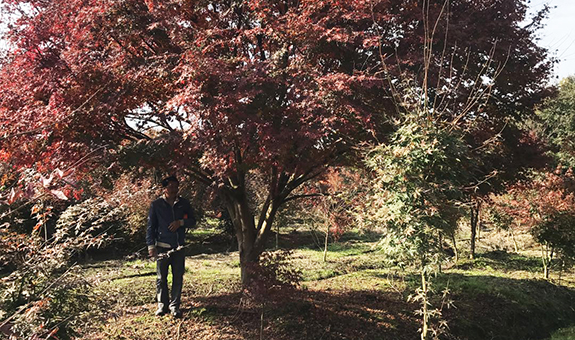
x=420 y=179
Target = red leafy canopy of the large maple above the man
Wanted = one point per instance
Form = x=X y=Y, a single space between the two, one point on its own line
x=272 y=82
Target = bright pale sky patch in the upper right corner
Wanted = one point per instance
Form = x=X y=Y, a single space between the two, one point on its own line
x=558 y=35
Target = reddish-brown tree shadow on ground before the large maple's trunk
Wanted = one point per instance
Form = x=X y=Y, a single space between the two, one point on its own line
x=315 y=315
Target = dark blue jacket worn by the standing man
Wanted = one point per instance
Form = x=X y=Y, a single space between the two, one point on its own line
x=161 y=215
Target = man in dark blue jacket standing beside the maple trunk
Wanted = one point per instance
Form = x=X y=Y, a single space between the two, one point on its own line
x=167 y=220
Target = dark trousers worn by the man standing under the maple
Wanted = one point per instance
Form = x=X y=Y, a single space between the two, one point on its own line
x=176 y=260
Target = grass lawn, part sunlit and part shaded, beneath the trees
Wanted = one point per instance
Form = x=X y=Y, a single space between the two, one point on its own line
x=353 y=295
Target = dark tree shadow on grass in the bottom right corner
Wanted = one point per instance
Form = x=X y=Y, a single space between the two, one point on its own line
x=490 y=307
